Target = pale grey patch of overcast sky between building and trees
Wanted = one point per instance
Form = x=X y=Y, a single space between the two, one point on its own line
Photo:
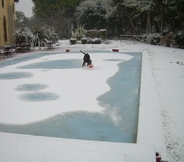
x=25 y=6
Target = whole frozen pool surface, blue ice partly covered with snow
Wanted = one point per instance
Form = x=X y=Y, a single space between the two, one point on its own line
x=51 y=95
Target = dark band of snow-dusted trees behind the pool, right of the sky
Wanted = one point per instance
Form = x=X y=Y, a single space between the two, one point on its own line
x=117 y=16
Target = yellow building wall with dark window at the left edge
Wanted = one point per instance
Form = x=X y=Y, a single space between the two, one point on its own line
x=7 y=21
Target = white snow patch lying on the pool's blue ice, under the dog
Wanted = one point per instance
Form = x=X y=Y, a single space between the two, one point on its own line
x=70 y=85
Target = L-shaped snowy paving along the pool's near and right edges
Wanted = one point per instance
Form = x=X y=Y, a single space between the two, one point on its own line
x=37 y=148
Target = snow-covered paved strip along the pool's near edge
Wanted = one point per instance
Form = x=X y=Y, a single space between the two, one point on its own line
x=23 y=148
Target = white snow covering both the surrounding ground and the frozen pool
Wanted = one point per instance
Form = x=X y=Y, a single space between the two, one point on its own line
x=161 y=107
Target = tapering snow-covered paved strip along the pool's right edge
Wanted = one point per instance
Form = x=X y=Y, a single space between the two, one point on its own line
x=149 y=129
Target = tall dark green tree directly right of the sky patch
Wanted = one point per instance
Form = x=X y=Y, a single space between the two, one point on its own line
x=56 y=13
